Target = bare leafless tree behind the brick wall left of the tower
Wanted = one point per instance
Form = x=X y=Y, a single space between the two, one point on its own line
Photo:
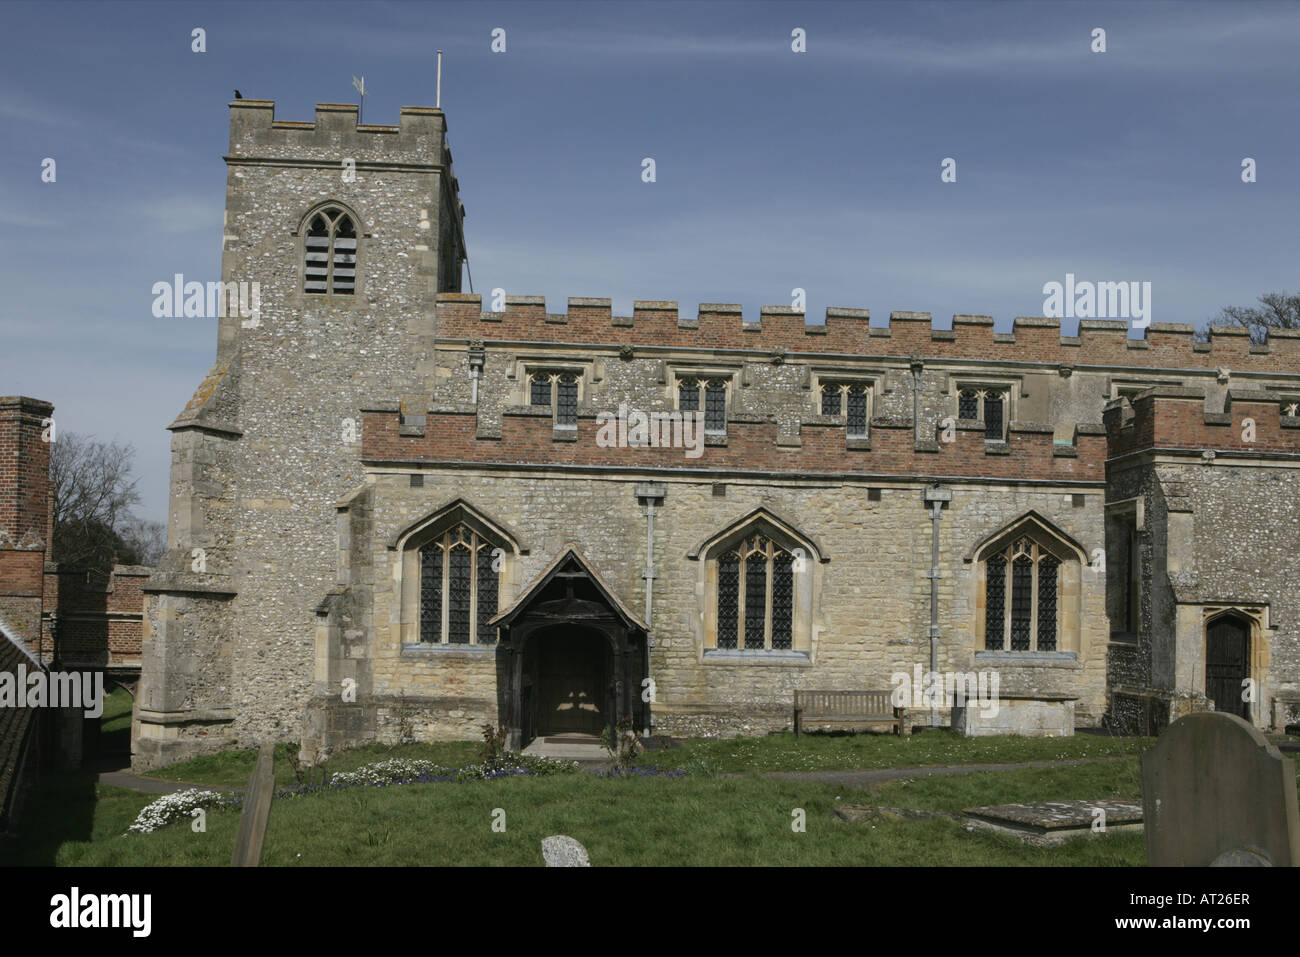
x=93 y=495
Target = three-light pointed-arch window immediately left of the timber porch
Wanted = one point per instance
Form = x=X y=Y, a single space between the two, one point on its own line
x=458 y=590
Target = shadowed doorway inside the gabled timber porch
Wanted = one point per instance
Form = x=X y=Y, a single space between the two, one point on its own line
x=573 y=677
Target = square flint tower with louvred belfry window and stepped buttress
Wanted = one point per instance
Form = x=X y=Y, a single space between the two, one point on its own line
x=271 y=440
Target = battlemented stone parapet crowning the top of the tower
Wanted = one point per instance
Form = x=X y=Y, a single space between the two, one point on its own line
x=419 y=141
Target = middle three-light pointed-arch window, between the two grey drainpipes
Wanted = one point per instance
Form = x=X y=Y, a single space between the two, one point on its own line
x=756 y=596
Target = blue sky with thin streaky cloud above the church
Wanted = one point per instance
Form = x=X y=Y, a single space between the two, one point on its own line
x=775 y=170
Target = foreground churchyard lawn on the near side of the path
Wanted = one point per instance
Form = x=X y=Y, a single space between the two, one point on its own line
x=692 y=821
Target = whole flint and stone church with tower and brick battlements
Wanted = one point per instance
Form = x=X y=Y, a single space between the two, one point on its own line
x=400 y=514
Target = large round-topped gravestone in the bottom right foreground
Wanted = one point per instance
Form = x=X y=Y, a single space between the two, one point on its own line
x=1216 y=793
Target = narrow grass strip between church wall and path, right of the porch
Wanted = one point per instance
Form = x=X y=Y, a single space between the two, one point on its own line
x=842 y=752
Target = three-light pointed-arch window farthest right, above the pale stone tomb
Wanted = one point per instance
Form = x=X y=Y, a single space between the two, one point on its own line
x=1021 y=588
